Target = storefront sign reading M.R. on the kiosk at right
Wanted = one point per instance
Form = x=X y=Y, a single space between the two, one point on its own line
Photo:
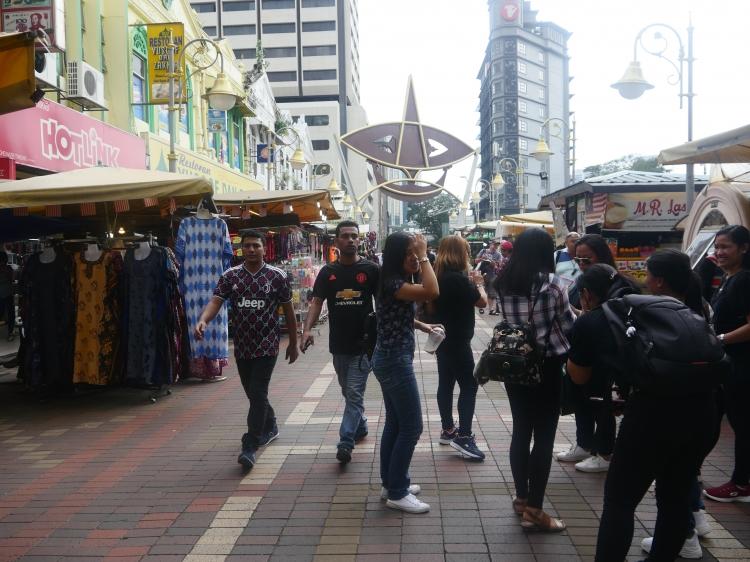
x=644 y=212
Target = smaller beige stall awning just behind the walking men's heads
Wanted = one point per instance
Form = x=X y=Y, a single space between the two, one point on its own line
x=304 y=203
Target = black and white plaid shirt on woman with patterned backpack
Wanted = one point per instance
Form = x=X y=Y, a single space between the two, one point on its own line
x=552 y=317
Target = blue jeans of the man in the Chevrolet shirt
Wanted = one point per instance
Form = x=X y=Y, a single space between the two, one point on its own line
x=352 y=372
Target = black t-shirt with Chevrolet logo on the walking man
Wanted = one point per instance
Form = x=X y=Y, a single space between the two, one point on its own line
x=349 y=290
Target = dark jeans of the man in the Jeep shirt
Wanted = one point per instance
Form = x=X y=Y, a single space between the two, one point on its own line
x=255 y=375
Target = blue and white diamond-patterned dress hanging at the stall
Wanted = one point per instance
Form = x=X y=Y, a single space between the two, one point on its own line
x=204 y=251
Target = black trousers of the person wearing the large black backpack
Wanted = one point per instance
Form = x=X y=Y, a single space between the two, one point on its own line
x=662 y=439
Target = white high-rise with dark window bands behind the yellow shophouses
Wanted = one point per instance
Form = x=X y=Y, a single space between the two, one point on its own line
x=312 y=47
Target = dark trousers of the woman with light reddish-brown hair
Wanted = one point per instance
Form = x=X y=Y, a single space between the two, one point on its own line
x=456 y=365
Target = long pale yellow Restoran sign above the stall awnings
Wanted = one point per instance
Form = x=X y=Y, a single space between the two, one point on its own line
x=223 y=179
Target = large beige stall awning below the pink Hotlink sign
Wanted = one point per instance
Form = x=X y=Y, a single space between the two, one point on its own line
x=100 y=185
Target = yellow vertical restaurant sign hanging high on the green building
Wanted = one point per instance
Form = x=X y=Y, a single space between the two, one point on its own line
x=164 y=38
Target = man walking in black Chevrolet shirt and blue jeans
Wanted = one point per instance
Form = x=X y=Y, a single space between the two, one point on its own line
x=348 y=285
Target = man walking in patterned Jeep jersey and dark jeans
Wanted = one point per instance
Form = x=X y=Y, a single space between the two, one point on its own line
x=255 y=291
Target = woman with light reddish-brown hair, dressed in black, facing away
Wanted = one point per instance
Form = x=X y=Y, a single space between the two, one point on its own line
x=461 y=290
